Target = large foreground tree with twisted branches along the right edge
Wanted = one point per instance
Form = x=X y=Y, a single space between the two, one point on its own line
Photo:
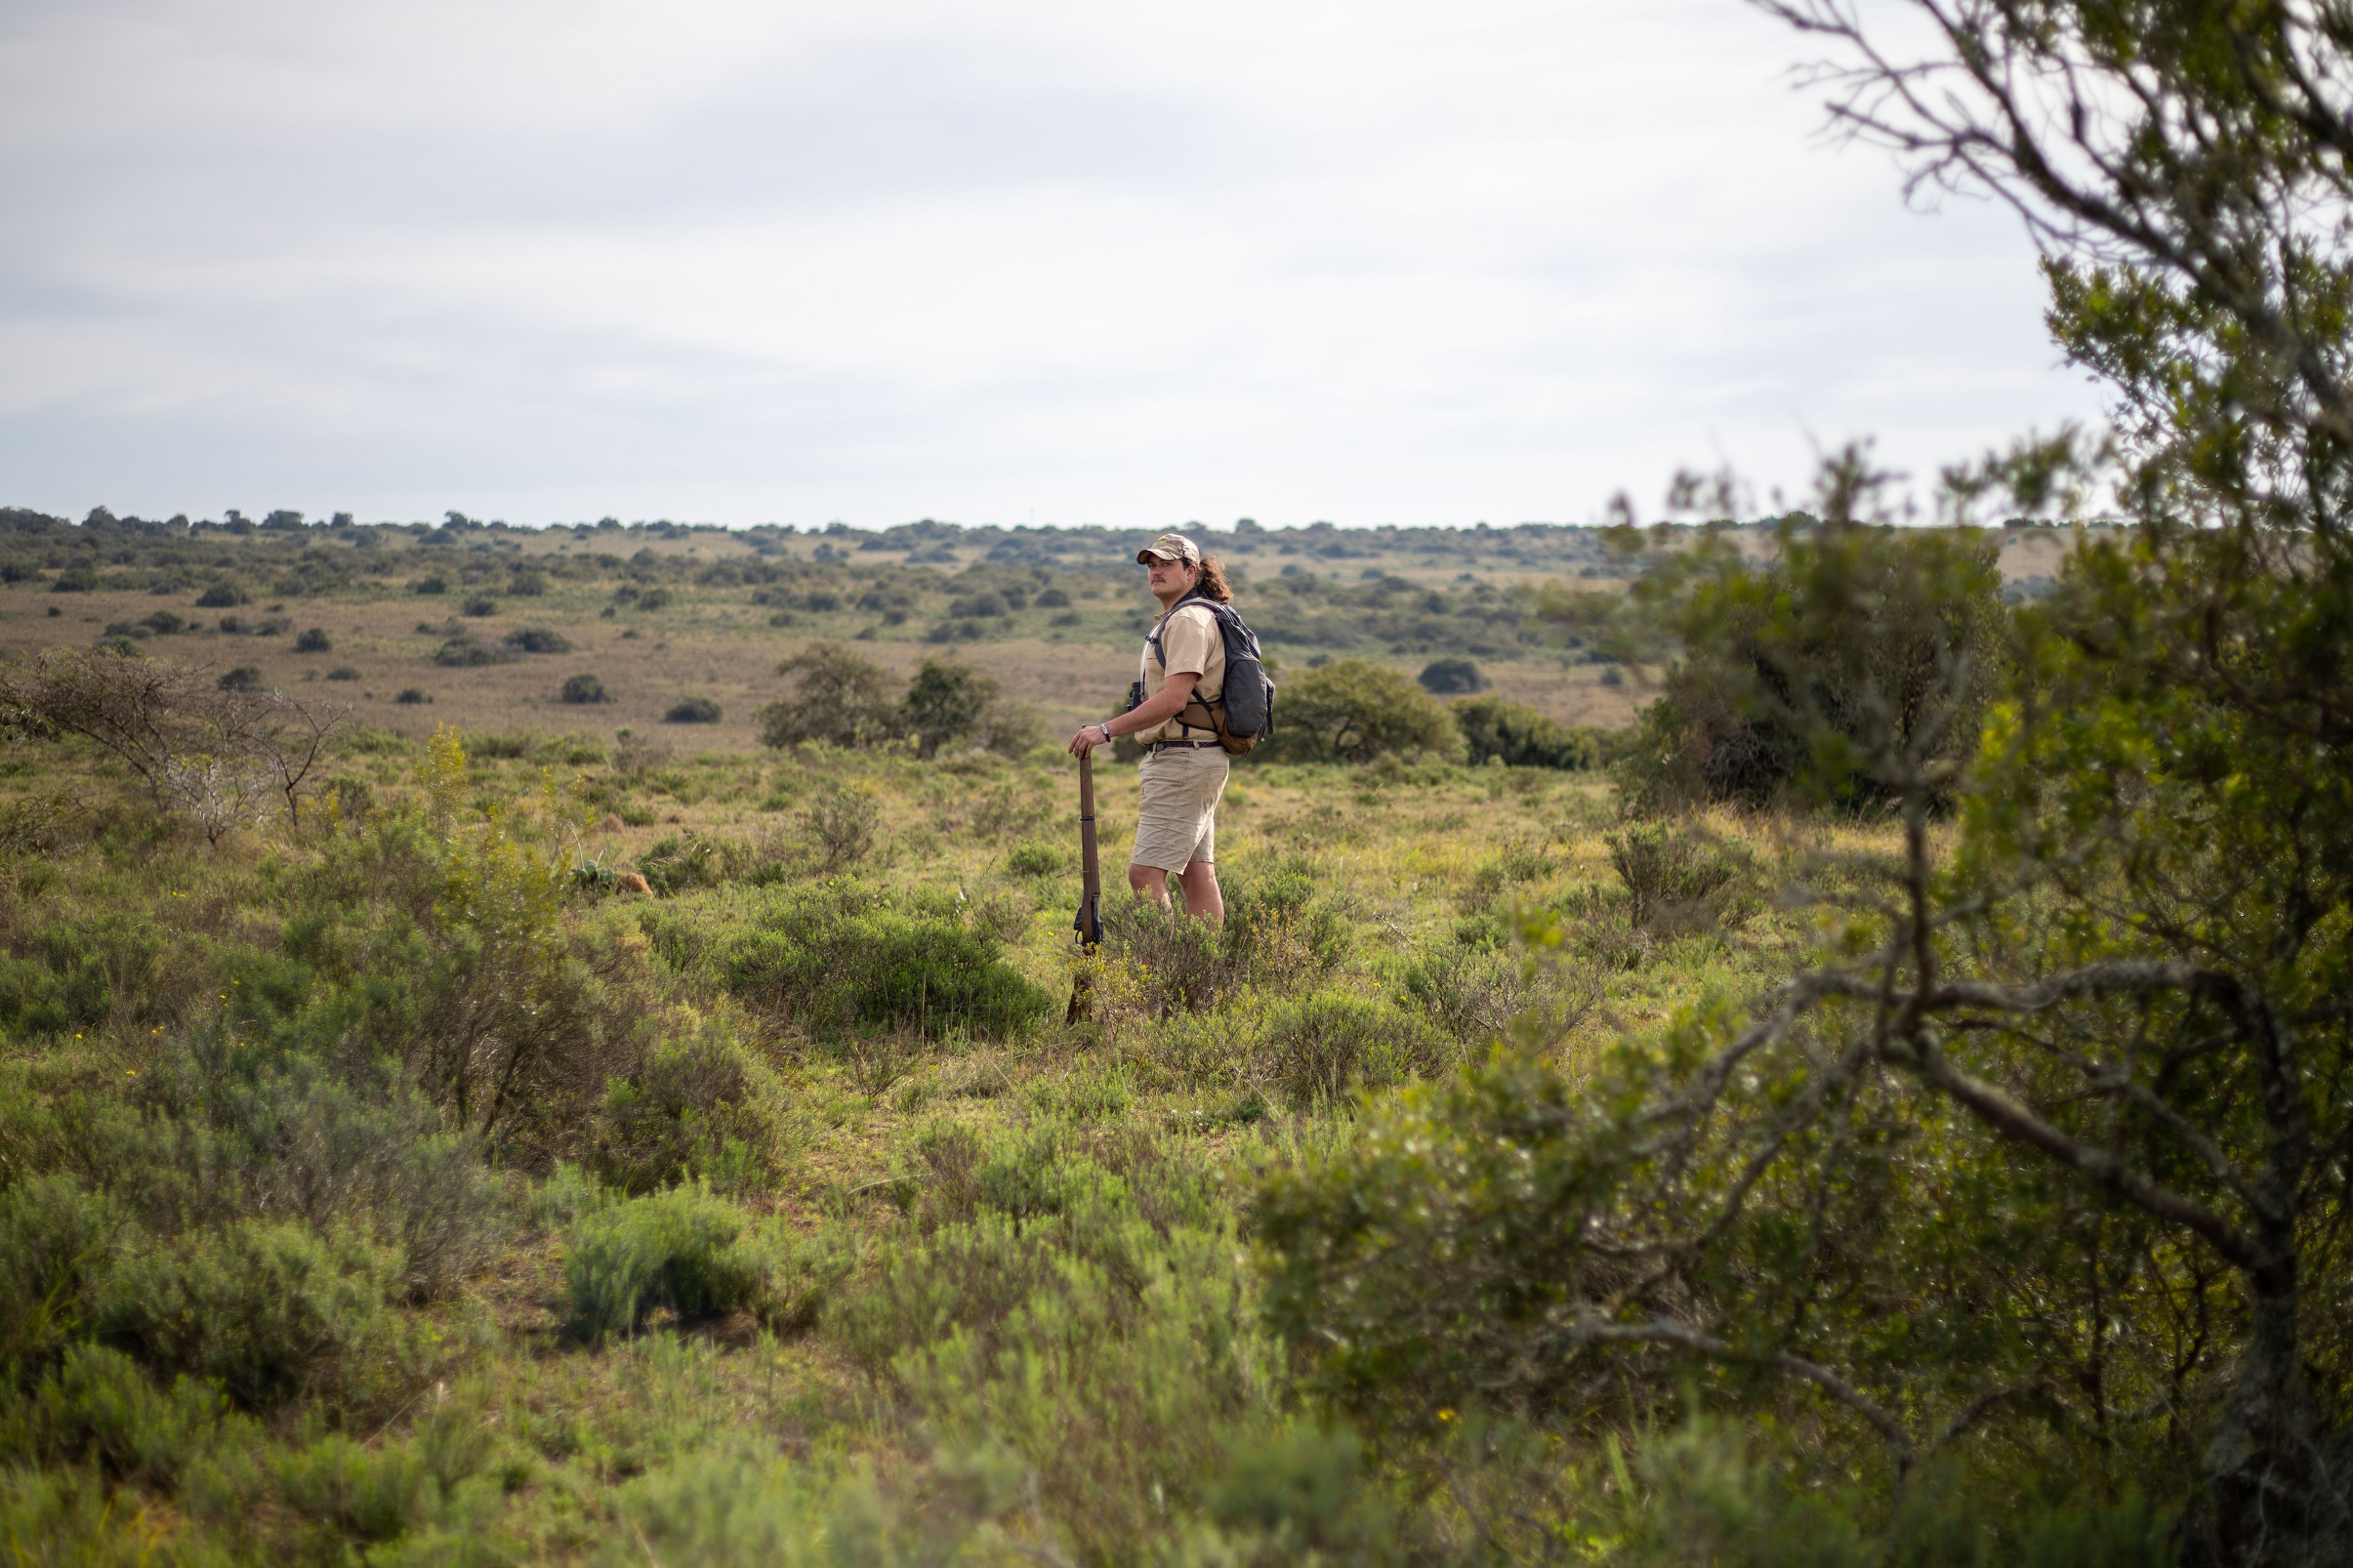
x=2053 y=1145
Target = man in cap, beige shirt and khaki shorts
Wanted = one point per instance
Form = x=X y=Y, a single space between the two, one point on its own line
x=1185 y=766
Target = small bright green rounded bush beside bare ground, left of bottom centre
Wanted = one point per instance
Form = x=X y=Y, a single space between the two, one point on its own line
x=679 y=1249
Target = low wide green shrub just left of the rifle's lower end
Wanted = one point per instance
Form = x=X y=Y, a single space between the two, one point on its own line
x=839 y=959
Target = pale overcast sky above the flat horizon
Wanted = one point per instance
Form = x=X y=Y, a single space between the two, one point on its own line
x=996 y=263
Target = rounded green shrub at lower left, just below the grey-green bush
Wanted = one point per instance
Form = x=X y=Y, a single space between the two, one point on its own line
x=269 y=1310
